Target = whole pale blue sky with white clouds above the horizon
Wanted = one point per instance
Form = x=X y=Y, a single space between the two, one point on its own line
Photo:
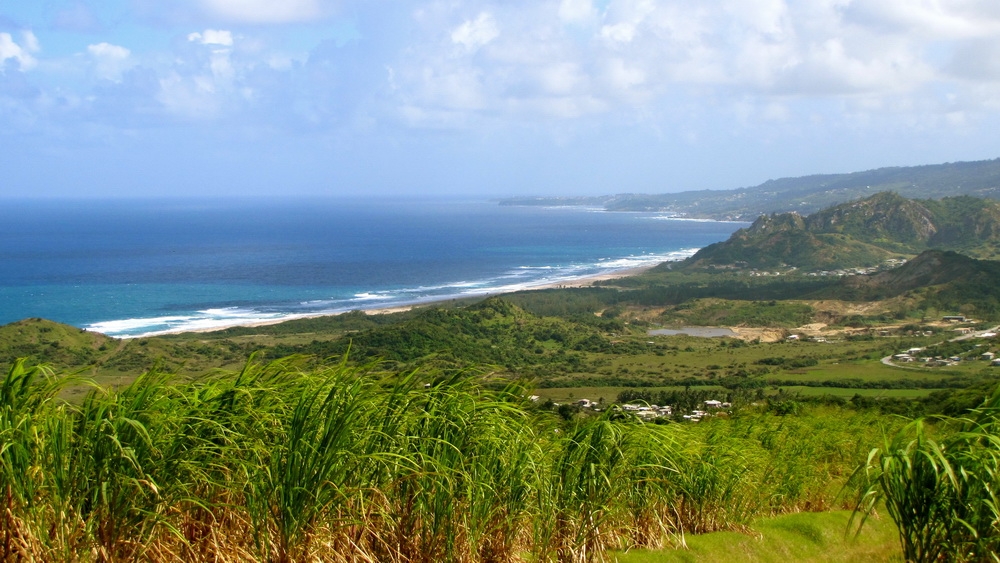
x=127 y=98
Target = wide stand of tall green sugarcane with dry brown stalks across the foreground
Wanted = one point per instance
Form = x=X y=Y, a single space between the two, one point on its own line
x=283 y=462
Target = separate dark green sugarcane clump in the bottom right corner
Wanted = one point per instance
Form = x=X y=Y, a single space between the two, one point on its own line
x=941 y=490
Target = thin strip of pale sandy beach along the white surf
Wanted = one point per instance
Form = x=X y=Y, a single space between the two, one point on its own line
x=585 y=281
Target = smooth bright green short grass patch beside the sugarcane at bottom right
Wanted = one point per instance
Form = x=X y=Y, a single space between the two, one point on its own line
x=802 y=537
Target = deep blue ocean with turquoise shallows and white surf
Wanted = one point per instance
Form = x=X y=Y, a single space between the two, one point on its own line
x=140 y=267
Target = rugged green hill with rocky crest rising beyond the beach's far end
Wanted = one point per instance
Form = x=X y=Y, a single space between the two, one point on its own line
x=860 y=234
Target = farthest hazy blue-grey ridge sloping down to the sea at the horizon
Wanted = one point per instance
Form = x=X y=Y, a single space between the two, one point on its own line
x=804 y=195
